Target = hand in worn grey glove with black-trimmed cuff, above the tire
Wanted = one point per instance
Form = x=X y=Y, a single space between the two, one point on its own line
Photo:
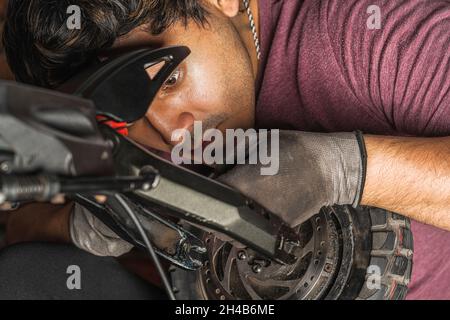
x=316 y=170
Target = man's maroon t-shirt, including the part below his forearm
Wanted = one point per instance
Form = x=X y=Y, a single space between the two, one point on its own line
x=323 y=69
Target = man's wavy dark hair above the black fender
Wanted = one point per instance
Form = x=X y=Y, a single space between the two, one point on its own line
x=43 y=51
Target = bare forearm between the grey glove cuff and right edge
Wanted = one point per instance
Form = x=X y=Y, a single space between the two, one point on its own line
x=410 y=176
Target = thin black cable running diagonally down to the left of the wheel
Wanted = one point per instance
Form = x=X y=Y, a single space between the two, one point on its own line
x=148 y=244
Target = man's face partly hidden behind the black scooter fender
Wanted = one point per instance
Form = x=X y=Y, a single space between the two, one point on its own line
x=215 y=84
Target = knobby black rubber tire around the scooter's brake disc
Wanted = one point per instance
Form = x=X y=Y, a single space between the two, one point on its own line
x=375 y=258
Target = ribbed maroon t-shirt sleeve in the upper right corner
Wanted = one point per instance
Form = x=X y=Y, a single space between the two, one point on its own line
x=395 y=56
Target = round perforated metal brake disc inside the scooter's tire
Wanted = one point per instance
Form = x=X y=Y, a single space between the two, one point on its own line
x=233 y=273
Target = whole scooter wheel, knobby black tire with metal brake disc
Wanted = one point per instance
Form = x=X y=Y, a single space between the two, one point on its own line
x=350 y=254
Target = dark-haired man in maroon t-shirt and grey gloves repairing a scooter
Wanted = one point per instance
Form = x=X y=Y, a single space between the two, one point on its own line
x=323 y=68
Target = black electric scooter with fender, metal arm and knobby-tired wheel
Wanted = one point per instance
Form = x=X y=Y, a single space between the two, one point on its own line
x=221 y=244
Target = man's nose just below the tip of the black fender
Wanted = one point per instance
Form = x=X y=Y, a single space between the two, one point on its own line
x=167 y=124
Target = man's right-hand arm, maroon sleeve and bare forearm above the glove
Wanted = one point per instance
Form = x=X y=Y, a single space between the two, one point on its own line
x=401 y=73
